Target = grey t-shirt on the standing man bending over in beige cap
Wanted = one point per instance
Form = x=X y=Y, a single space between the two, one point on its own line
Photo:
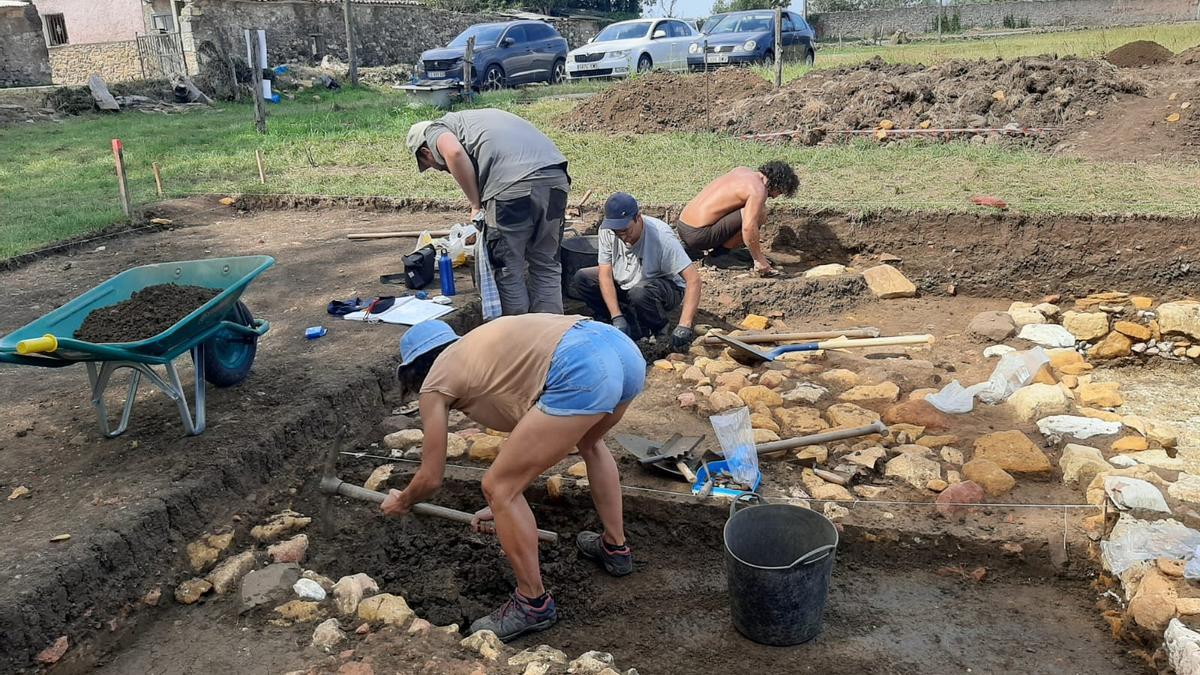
x=503 y=147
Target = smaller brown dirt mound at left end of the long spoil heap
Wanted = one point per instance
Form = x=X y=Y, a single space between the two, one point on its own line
x=663 y=101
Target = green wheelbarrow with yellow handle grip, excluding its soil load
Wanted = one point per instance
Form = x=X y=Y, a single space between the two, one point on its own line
x=221 y=336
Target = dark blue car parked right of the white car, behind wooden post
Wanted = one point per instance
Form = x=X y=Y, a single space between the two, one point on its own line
x=749 y=39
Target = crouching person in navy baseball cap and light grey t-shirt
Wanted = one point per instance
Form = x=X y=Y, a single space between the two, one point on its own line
x=645 y=274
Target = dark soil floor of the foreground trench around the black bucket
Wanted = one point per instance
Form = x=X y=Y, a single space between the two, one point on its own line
x=890 y=611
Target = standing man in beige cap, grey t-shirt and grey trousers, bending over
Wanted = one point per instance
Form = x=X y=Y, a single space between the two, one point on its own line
x=517 y=184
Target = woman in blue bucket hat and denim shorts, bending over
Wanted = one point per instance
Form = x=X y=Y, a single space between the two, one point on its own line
x=556 y=384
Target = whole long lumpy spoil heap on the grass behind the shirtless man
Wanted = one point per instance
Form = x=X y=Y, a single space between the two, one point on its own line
x=986 y=94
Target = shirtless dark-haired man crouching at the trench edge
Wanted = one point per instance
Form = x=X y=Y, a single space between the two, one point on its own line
x=729 y=212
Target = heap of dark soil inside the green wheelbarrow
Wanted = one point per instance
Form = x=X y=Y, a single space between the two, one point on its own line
x=147 y=314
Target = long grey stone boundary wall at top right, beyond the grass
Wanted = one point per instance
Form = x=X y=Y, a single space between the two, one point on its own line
x=1063 y=14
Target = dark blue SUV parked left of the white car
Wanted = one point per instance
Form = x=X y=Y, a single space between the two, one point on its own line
x=506 y=55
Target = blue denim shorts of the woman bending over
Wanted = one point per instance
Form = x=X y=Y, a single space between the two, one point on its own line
x=596 y=369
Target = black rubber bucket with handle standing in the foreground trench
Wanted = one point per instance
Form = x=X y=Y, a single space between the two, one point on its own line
x=778 y=561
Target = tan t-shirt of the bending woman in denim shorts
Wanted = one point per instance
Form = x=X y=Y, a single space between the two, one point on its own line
x=497 y=373
